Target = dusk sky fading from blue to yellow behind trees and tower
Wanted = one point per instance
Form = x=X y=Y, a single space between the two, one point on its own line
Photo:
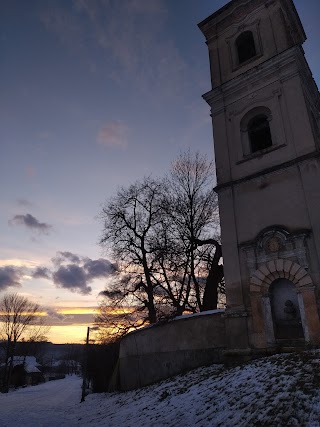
x=95 y=94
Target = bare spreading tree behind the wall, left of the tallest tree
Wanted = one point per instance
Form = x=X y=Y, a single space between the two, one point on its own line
x=130 y=220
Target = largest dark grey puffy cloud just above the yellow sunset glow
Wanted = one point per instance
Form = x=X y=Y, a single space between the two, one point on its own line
x=72 y=277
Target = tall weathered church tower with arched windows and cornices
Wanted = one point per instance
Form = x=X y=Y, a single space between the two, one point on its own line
x=265 y=113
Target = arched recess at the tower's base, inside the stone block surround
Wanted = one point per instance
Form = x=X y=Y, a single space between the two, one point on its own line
x=285 y=310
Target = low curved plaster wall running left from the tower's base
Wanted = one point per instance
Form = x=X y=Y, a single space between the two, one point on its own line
x=158 y=352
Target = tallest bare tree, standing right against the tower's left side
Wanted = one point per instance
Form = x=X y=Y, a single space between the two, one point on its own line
x=193 y=210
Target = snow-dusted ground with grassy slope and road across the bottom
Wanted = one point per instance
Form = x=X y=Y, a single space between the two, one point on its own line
x=278 y=391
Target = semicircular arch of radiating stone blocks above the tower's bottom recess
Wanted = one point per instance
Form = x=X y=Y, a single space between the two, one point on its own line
x=267 y=273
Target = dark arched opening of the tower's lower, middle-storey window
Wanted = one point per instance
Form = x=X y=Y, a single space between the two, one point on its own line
x=259 y=133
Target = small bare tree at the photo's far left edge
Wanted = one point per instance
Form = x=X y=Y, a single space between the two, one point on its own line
x=20 y=319
